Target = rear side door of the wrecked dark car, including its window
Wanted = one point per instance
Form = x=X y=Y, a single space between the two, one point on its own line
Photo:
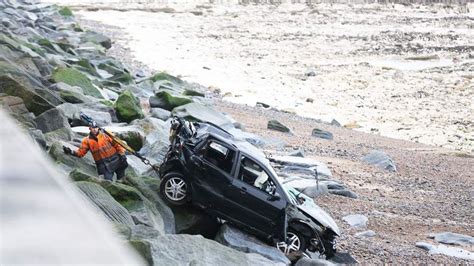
x=213 y=166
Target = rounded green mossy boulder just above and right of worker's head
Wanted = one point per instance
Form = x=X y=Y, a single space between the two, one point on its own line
x=128 y=107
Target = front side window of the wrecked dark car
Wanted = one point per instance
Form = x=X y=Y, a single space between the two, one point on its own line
x=253 y=174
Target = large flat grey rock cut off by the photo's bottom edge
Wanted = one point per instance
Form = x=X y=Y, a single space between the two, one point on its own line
x=189 y=250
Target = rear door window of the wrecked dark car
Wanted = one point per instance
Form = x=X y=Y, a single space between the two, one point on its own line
x=219 y=155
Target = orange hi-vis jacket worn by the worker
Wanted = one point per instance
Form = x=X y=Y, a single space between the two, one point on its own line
x=102 y=148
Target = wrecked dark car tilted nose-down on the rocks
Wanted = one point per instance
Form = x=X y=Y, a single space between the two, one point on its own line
x=231 y=179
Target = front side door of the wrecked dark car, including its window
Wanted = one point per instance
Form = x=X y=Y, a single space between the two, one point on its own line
x=257 y=207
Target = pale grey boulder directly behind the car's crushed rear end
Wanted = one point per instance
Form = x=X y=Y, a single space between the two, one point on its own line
x=201 y=113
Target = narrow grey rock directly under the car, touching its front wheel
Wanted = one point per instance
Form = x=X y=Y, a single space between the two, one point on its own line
x=238 y=240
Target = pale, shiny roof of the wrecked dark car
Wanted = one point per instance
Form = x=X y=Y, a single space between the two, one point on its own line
x=238 y=143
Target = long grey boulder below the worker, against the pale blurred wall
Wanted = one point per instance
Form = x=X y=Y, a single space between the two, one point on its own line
x=106 y=203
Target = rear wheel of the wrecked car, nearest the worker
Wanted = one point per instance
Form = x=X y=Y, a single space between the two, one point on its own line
x=174 y=189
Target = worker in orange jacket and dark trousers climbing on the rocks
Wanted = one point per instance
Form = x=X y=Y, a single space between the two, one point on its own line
x=108 y=155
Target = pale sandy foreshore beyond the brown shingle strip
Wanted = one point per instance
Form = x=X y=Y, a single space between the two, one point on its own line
x=396 y=71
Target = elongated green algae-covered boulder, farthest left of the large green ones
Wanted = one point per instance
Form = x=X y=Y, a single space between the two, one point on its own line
x=75 y=77
